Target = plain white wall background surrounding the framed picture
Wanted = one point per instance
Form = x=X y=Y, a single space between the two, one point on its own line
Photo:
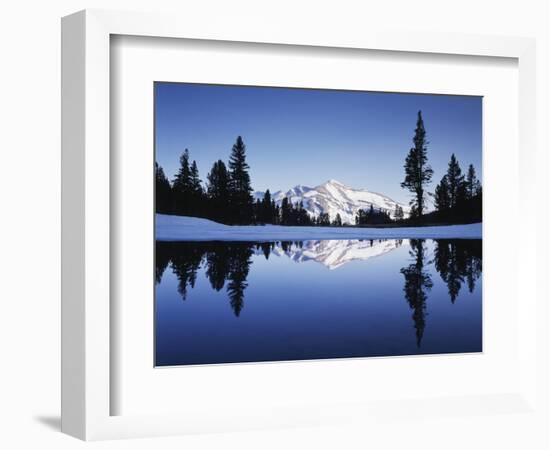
x=30 y=196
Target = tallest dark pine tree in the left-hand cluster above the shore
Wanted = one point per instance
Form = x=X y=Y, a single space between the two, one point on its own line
x=240 y=189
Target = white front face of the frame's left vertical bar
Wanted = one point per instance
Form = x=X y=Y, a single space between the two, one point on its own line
x=96 y=238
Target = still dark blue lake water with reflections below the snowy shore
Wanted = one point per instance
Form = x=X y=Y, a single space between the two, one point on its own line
x=225 y=302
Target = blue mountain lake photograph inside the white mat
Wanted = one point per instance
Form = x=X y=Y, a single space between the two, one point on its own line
x=249 y=236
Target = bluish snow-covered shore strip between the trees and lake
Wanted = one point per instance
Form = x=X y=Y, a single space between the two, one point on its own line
x=178 y=228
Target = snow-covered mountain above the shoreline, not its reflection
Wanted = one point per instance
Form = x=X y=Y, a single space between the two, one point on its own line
x=333 y=197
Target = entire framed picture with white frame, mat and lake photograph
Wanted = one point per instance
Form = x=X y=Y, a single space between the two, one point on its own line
x=266 y=228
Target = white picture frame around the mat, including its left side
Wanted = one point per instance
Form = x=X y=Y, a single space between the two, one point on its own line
x=86 y=217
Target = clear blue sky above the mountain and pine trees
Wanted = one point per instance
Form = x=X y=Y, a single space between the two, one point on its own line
x=306 y=136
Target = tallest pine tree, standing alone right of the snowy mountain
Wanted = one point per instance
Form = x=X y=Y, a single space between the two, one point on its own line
x=418 y=172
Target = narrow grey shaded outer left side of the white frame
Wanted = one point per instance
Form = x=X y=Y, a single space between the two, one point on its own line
x=73 y=99
